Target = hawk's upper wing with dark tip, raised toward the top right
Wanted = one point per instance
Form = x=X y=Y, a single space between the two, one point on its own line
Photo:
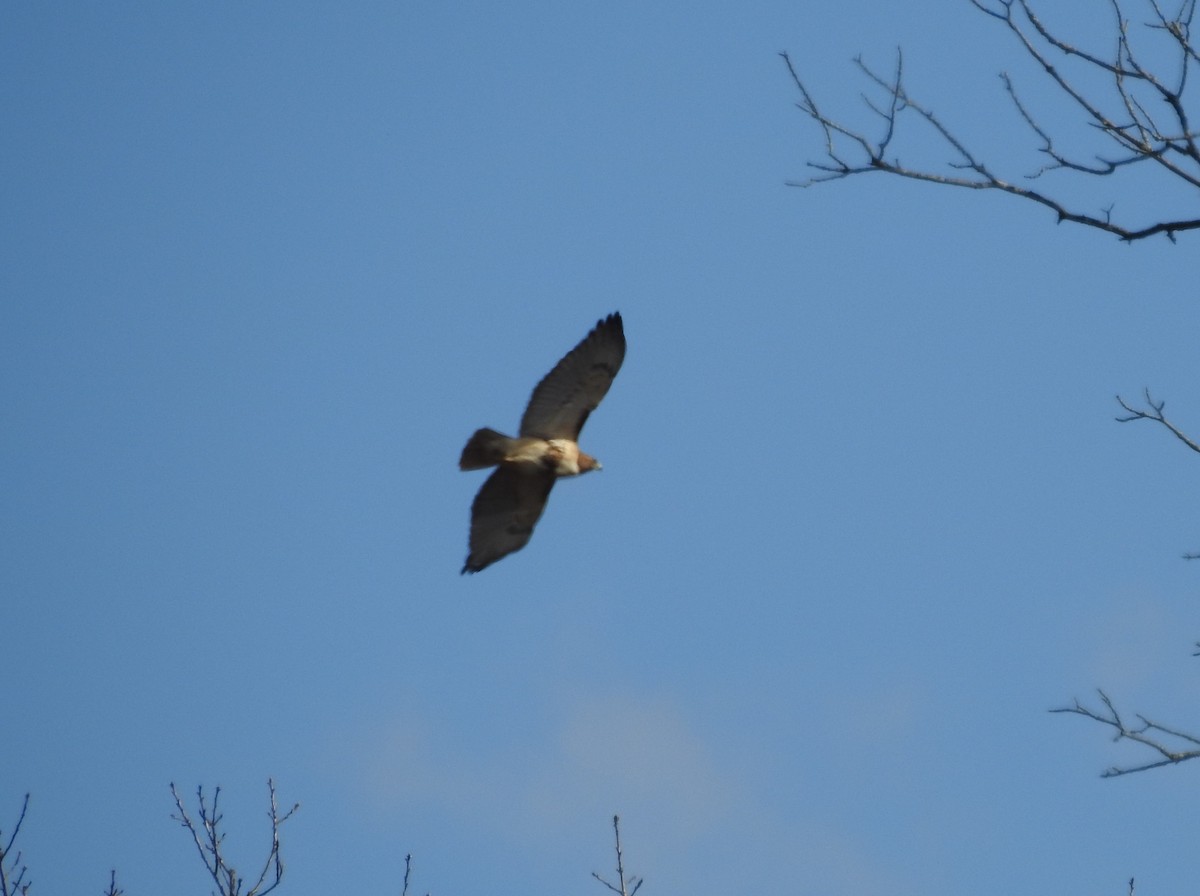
x=561 y=404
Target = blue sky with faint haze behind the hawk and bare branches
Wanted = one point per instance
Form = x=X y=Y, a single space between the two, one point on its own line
x=865 y=515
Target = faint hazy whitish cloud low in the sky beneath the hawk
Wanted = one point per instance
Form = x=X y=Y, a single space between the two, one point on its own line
x=632 y=755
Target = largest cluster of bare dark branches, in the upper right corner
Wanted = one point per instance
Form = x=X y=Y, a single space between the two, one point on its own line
x=1139 y=131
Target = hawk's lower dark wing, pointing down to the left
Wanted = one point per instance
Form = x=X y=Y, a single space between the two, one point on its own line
x=506 y=510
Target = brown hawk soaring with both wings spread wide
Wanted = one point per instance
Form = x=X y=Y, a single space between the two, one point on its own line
x=508 y=507
